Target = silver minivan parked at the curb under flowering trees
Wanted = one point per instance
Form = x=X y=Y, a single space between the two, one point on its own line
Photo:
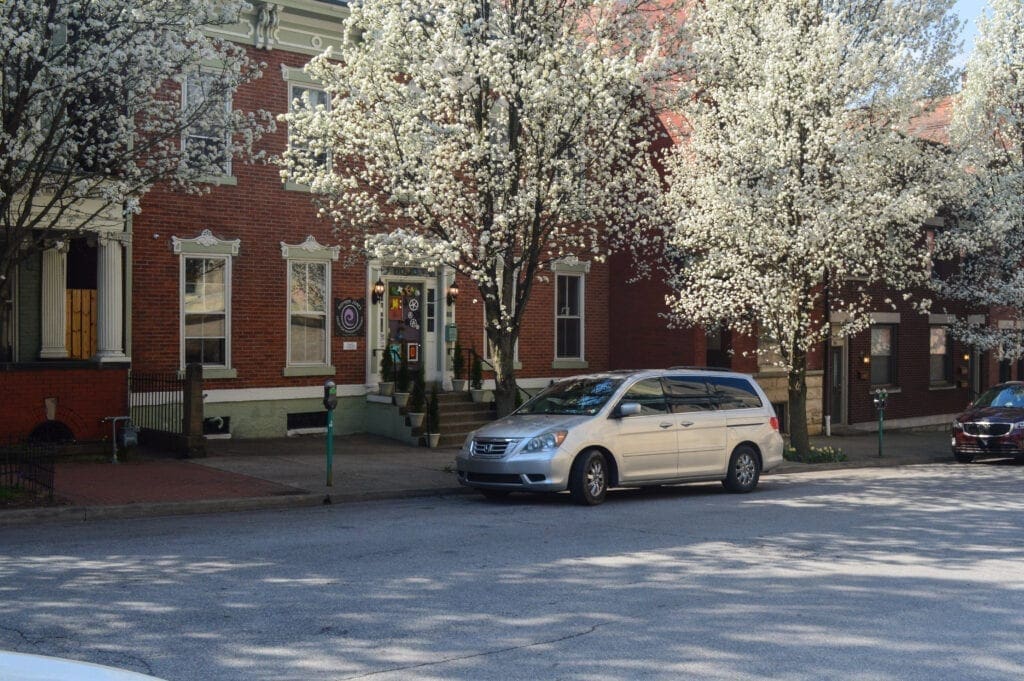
x=622 y=430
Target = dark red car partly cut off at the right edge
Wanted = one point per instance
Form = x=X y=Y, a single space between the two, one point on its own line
x=993 y=427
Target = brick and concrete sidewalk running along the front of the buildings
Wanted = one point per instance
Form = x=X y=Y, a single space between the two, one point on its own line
x=291 y=473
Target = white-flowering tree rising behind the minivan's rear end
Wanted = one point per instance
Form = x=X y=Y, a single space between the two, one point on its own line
x=796 y=181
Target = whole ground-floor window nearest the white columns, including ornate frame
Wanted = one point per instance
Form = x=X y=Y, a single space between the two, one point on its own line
x=205 y=301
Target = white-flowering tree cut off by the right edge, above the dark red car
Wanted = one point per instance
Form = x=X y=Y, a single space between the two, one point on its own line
x=989 y=132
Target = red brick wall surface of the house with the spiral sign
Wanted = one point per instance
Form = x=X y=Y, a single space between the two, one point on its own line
x=261 y=212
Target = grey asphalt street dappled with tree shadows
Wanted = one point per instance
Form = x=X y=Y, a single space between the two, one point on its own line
x=910 y=573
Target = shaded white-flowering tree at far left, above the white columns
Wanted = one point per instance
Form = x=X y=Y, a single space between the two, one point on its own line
x=94 y=114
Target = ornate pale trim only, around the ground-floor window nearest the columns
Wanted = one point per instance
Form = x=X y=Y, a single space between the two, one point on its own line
x=207 y=246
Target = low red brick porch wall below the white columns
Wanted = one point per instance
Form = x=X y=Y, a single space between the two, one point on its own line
x=84 y=396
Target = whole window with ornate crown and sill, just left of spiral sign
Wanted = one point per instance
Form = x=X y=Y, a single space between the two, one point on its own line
x=309 y=306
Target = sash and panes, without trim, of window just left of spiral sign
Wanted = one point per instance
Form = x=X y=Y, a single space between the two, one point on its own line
x=308 y=284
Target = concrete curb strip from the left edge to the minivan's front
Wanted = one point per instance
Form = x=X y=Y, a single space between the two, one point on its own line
x=158 y=509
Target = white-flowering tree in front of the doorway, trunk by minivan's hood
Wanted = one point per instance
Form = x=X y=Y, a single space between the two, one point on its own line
x=492 y=137
